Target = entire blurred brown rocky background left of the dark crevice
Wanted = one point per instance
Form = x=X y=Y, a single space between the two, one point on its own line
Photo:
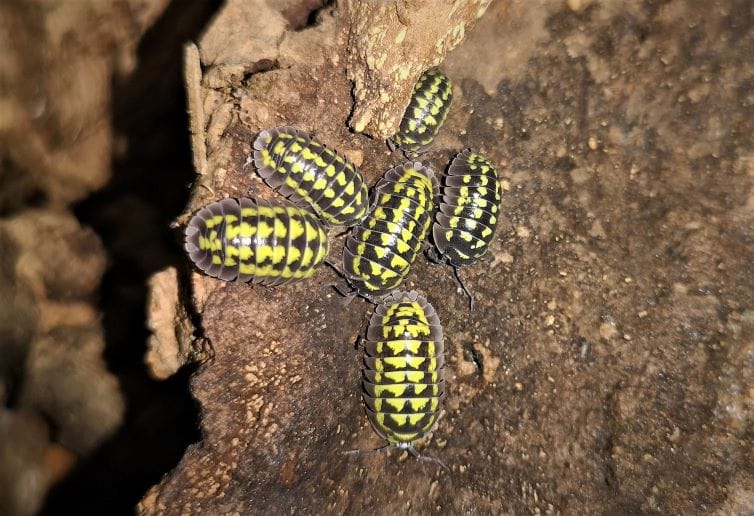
x=58 y=401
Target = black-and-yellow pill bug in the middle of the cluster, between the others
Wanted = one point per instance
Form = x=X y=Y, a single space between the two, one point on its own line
x=379 y=252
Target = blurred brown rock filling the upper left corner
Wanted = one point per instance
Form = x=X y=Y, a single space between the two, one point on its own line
x=56 y=75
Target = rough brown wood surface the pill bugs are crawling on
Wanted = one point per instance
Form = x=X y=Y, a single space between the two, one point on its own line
x=609 y=364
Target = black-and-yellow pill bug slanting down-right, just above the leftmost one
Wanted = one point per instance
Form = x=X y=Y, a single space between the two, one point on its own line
x=304 y=170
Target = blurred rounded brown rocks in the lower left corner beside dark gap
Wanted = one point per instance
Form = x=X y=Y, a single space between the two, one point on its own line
x=51 y=368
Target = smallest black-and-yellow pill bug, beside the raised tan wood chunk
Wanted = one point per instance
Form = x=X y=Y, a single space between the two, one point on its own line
x=426 y=112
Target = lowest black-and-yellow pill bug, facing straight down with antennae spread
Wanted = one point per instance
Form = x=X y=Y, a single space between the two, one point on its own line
x=403 y=376
